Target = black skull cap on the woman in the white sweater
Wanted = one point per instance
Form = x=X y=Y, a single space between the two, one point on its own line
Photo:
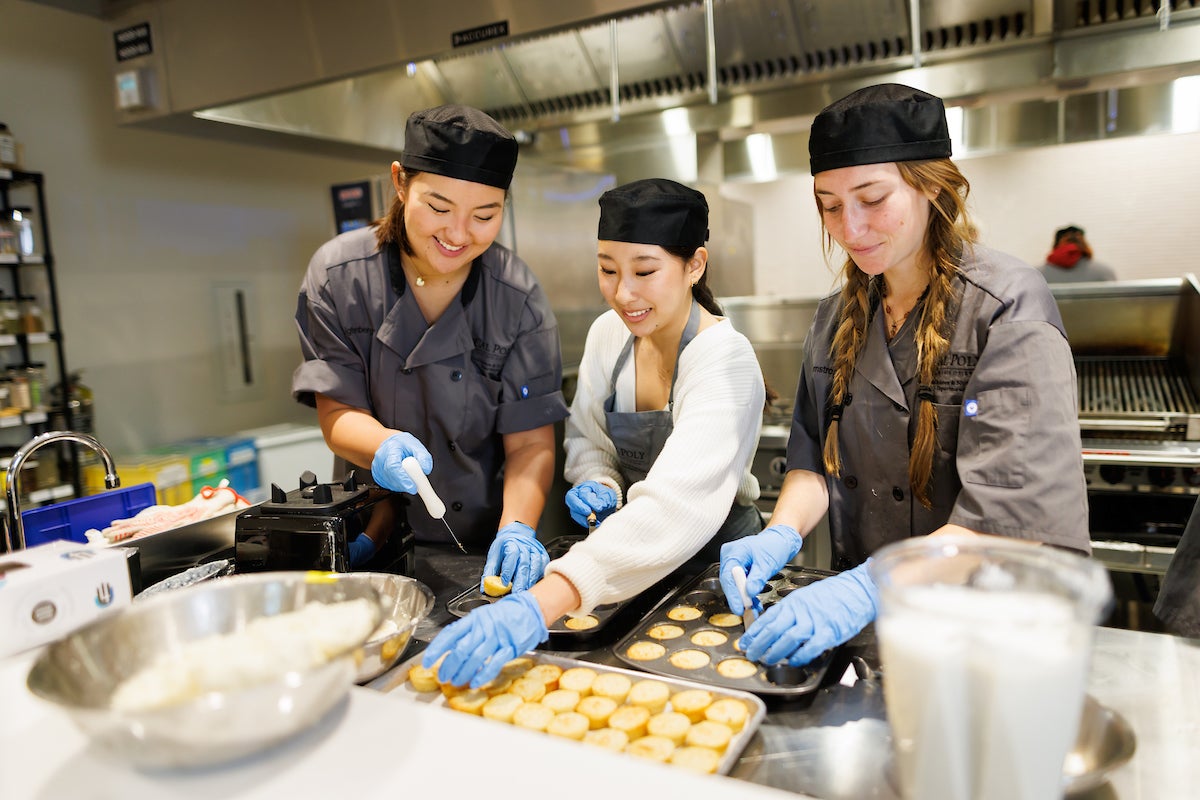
x=655 y=212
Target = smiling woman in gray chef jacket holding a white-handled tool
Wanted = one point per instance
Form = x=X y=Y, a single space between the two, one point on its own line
x=424 y=338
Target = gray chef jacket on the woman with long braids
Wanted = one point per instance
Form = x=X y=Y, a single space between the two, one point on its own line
x=1009 y=459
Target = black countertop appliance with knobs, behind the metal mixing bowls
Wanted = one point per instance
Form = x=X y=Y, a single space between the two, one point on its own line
x=313 y=528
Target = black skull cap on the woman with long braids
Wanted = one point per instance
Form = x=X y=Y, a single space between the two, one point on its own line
x=879 y=125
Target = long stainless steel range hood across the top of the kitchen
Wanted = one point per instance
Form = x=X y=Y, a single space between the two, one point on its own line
x=599 y=83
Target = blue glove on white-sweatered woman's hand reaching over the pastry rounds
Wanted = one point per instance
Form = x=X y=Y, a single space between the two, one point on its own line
x=481 y=643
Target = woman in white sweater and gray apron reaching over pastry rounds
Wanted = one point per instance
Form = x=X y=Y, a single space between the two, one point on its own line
x=663 y=432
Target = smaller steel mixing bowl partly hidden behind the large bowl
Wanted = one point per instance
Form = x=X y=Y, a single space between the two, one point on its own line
x=406 y=603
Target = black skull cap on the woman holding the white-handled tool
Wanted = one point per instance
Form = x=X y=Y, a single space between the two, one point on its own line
x=460 y=142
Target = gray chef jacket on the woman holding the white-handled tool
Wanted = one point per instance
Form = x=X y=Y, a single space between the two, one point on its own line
x=491 y=365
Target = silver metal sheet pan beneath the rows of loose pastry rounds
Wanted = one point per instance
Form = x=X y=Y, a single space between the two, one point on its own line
x=397 y=683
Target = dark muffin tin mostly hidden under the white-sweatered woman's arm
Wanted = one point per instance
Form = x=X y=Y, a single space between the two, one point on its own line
x=609 y=621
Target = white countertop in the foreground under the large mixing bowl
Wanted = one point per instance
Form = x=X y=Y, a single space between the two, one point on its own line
x=371 y=745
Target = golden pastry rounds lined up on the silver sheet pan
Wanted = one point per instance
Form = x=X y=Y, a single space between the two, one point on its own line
x=691 y=729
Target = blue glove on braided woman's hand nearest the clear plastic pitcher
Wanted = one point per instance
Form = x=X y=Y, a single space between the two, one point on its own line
x=814 y=618
